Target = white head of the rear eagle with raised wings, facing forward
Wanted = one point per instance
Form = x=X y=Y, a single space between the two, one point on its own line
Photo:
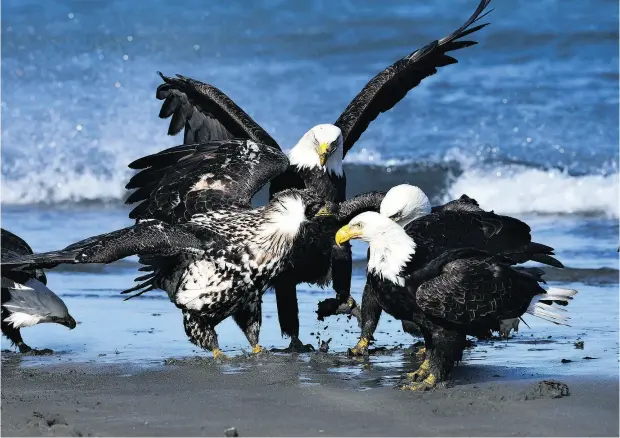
x=321 y=147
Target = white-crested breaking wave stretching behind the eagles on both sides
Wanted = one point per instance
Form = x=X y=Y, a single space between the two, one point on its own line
x=505 y=188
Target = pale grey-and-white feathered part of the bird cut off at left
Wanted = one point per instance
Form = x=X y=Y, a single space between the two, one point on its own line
x=34 y=303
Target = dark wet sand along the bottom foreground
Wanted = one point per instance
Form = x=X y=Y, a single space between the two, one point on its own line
x=308 y=395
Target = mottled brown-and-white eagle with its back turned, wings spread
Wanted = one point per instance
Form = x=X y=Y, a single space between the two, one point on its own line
x=221 y=254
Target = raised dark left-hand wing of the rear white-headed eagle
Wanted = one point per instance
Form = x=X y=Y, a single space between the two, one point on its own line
x=206 y=113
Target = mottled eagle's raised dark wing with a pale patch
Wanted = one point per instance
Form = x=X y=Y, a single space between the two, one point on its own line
x=178 y=182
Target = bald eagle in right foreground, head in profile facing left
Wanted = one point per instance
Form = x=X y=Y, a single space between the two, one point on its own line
x=419 y=274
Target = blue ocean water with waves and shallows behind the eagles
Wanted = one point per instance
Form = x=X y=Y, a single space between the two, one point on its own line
x=526 y=123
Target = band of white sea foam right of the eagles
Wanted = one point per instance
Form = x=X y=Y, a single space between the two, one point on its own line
x=516 y=189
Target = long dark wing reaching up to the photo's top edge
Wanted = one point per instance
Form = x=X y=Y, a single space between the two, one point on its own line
x=391 y=85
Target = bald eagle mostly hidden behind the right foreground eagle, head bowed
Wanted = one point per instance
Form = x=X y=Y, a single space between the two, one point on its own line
x=404 y=204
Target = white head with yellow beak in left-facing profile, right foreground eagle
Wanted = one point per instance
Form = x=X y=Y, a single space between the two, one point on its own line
x=390 y=246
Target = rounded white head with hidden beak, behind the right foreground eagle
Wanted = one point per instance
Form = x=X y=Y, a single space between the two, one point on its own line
x=405 y=203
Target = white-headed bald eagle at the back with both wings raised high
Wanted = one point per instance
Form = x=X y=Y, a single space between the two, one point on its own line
x=206 y=113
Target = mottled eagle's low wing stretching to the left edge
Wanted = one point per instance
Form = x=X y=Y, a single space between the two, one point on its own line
x=145 y=238
